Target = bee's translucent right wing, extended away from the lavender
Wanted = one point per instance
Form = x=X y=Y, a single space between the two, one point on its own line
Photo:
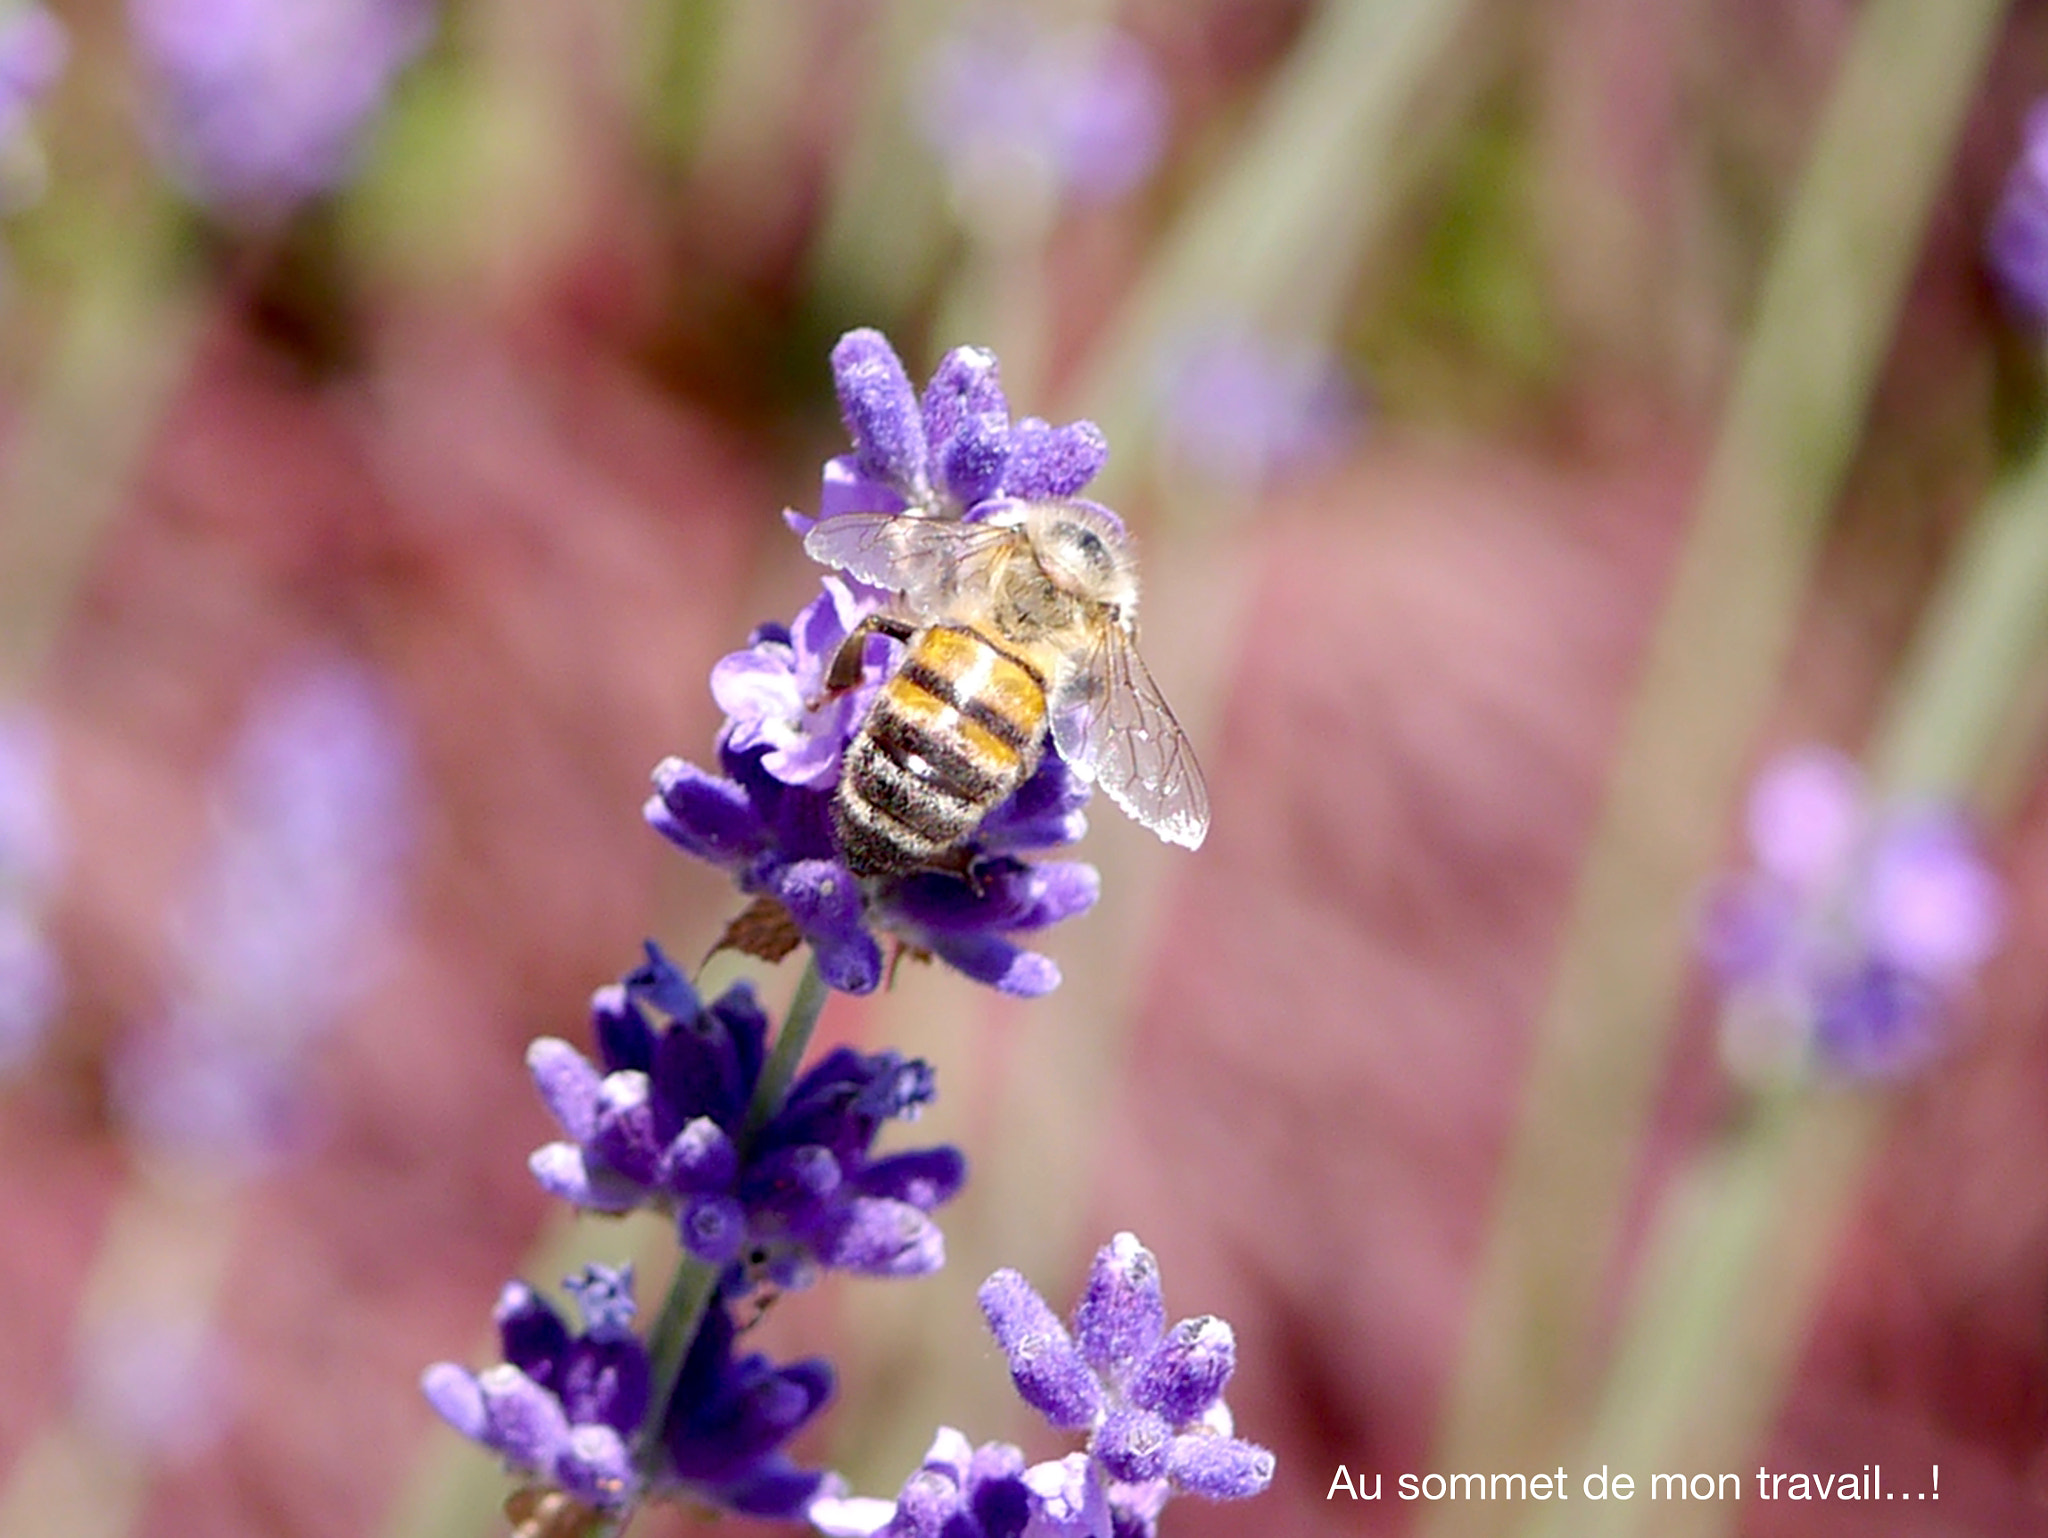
x=1113 y=726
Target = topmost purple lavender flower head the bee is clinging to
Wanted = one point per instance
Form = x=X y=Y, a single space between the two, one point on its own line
x=767 y=820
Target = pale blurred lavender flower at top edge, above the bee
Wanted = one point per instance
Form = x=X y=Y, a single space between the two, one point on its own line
x=1023 y=112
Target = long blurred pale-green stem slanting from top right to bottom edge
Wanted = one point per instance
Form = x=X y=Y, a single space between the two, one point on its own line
x=1529 y=1379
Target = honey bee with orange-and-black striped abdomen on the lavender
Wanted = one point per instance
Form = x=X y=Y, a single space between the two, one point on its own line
x=1021 y=628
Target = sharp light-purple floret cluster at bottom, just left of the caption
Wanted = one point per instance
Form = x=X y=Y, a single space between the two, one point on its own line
x=1150 y=1398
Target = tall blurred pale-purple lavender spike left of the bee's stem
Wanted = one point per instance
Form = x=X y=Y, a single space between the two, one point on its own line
x=286 y=925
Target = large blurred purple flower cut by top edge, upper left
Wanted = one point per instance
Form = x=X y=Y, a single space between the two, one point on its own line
x=263 y=103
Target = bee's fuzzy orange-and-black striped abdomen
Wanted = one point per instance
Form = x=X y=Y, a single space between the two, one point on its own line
x=951 y=736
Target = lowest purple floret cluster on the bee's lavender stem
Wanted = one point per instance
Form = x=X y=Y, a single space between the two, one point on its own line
x=566 y=1408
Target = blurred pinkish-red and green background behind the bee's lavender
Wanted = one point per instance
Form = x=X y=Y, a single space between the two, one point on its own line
x=398 y=400
